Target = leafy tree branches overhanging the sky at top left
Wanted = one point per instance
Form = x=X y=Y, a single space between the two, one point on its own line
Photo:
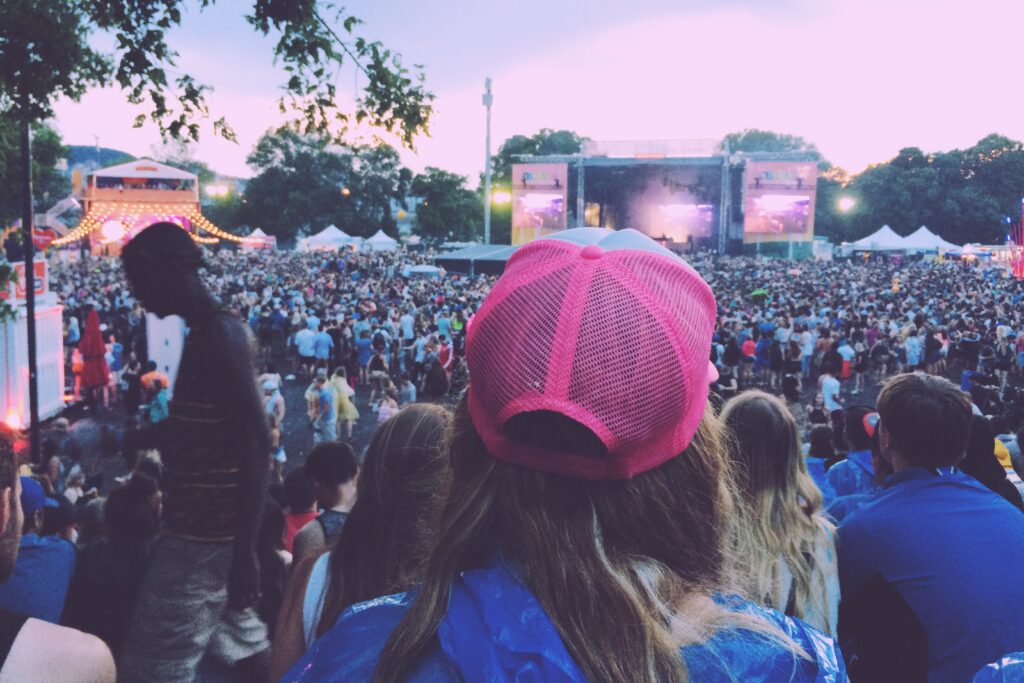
x=46 y=54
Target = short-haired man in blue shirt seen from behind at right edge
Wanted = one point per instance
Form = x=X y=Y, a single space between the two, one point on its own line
x=930 y=567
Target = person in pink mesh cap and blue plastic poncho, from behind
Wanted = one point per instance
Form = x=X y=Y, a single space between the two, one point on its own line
x=586 y=531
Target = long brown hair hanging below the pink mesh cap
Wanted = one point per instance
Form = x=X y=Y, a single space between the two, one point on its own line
x=623 y=569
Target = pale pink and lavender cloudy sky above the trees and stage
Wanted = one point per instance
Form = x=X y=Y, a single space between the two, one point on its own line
x=860 y=78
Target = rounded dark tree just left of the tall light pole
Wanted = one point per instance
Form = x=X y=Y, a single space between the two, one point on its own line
x=449 y=210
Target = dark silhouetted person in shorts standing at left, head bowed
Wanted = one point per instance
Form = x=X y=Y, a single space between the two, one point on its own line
x=202 y=583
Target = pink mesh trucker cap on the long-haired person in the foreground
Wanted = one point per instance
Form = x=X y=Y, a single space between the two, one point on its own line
x=607 y=328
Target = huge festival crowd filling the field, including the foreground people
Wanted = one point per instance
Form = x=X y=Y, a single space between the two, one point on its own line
x=606 y=465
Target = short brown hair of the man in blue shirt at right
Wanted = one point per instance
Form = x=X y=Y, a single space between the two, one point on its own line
x=927 y=418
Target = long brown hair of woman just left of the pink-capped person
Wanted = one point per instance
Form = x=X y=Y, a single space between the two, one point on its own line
x=381 y=546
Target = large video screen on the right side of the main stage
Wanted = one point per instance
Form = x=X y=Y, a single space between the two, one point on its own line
x=779 y=201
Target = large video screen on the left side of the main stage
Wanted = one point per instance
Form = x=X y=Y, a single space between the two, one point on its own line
x=539 y=201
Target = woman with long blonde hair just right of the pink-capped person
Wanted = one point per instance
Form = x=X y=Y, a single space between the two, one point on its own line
x=785 y=543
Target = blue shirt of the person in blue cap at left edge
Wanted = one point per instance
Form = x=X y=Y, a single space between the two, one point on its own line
x=42 y=574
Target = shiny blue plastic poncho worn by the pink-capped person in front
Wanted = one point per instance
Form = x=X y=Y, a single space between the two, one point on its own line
x=496 y=631
